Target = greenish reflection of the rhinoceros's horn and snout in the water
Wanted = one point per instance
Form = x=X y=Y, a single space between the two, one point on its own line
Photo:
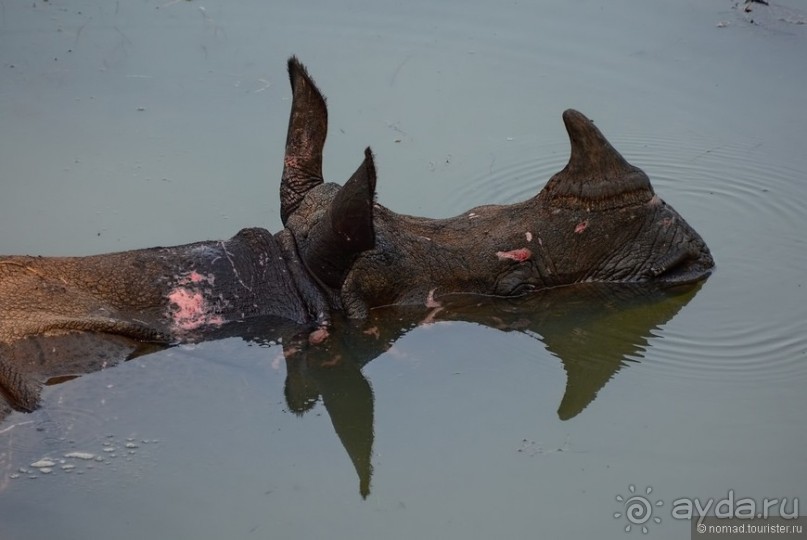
x=595 y=329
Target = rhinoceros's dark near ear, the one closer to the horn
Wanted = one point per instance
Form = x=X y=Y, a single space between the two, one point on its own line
x=346 y=230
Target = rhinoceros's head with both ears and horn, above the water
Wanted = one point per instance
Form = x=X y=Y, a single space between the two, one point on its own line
x=597 y=220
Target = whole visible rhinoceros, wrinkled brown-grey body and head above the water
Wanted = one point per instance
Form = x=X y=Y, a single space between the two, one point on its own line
x=598 y=220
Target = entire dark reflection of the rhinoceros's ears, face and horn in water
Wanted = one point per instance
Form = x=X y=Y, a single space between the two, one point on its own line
x=595 y=330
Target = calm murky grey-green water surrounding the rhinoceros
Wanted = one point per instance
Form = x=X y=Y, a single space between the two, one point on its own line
x=131 y=124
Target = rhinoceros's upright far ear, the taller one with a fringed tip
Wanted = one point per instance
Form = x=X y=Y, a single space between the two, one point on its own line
x=308 y=126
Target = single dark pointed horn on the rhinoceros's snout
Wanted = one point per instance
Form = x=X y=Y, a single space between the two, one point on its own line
x=597 y=177
